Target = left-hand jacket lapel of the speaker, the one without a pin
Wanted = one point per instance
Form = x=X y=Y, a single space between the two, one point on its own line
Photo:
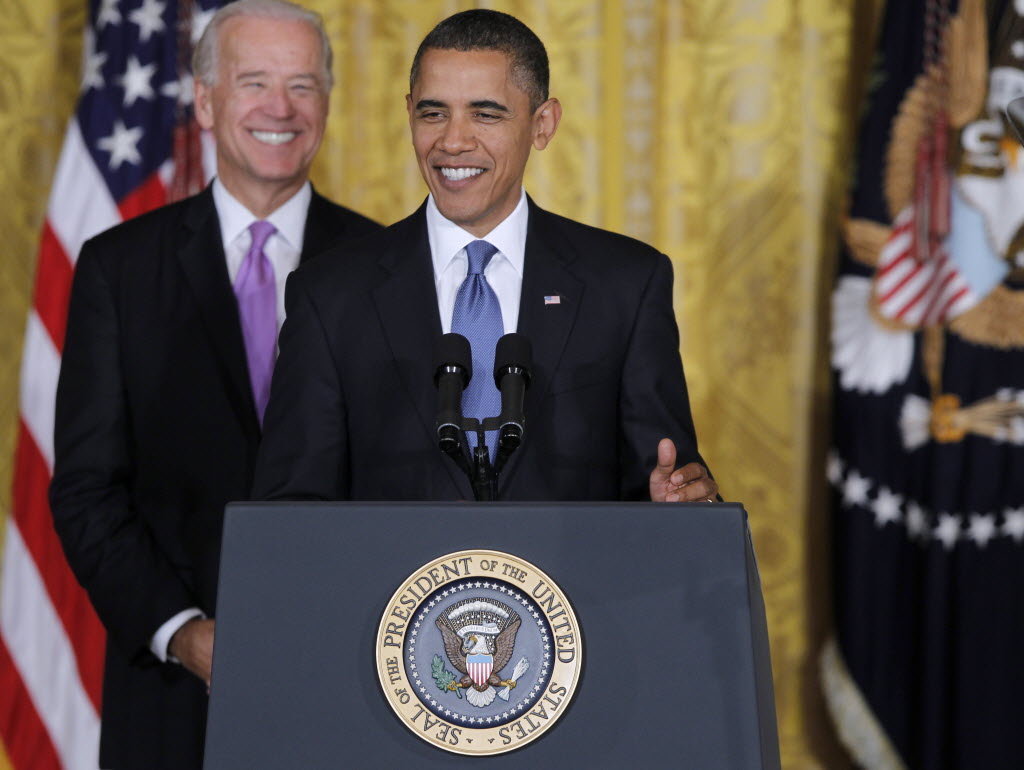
x=407 y=308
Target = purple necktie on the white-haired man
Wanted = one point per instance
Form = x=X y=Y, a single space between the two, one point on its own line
x=255 y=290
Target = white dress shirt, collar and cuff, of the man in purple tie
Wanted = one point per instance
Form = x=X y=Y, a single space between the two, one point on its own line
x=283 y=249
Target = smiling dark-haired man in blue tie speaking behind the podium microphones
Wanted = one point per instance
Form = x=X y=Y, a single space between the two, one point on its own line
x=353 y=410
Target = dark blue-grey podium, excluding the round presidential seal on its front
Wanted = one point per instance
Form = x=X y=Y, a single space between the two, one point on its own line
x=675 y=661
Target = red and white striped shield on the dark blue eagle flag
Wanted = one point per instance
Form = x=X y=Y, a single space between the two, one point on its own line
x=914 y=292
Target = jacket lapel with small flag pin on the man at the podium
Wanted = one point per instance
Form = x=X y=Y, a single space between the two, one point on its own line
x=549 y=305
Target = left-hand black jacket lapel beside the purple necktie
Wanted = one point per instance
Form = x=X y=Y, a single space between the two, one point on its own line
x=202 y=258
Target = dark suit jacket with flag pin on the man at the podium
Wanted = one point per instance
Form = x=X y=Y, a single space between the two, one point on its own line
x=353 y=406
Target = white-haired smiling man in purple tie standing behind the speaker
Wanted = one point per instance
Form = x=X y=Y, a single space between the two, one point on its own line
x=170 y=344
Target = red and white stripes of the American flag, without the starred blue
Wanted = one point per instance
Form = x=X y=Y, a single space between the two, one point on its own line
x=52 y=643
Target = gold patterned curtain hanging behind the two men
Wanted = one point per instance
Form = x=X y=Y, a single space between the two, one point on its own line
x=717 y=131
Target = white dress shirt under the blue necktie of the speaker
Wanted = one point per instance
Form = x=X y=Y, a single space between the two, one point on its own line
x=504 y=272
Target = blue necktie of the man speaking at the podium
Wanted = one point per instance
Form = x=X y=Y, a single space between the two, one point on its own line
x=478 y=317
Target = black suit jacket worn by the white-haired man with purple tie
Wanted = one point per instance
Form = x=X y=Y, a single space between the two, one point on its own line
x=156 y=432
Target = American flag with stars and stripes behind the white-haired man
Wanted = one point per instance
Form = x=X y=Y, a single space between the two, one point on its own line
x=132 y=146
